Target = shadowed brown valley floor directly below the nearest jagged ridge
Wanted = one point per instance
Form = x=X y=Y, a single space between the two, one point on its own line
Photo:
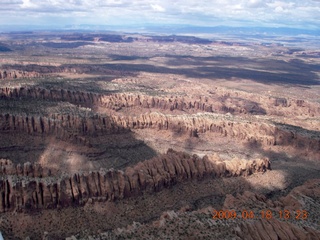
x=144 y=207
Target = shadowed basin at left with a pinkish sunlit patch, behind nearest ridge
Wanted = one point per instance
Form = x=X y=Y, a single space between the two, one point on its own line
x=69 y=141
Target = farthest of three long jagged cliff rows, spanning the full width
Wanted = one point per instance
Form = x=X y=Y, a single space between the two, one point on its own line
x=221 y=102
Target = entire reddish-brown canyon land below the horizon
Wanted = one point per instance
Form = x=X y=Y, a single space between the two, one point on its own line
x=127 y=136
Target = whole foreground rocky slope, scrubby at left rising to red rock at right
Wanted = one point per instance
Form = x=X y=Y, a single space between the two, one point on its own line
x=199 y=223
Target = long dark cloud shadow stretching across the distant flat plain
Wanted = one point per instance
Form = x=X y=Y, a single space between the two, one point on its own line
x=265 y=71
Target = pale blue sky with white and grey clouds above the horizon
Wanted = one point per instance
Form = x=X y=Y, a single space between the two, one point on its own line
x=273 y=13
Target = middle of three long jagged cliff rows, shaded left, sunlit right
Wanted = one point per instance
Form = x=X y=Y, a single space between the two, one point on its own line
x=70 y=127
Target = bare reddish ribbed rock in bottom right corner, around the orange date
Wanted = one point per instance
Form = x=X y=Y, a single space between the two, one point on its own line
x=300 y=201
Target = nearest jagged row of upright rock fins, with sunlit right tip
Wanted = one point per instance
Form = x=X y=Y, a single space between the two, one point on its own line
x=29 y=189
